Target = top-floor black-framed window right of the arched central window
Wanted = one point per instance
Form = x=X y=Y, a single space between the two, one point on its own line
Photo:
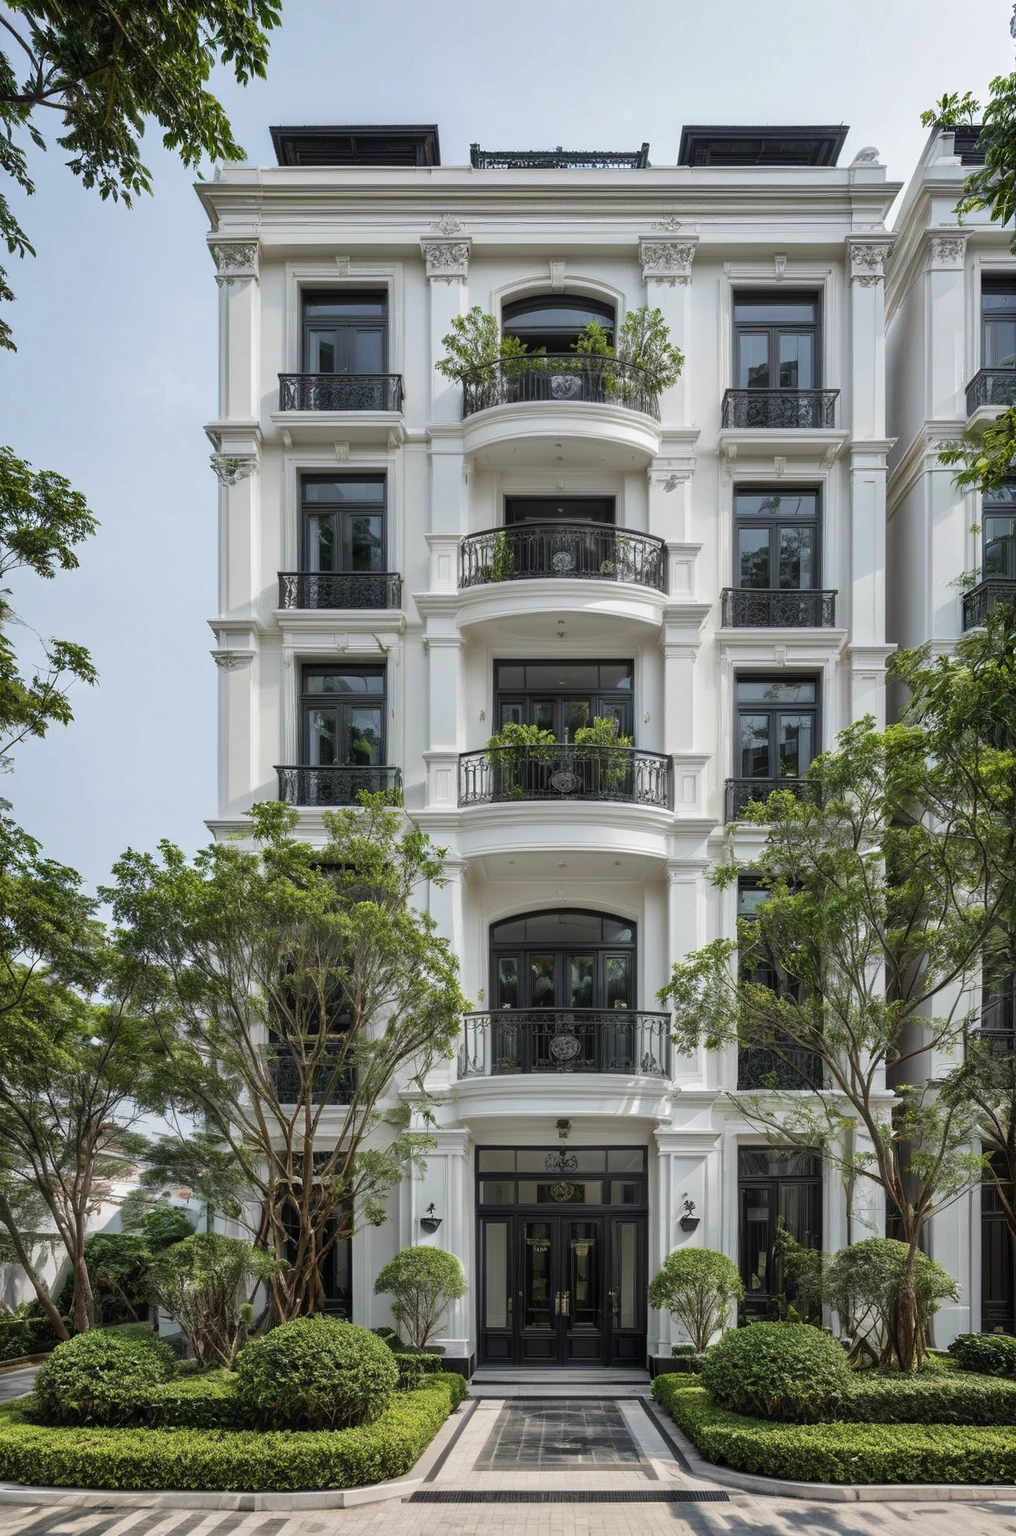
x=777 y=342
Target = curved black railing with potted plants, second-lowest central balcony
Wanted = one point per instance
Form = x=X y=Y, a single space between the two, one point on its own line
x=503 y=775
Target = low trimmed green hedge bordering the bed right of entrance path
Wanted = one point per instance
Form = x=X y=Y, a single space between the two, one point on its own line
x=838 y=1452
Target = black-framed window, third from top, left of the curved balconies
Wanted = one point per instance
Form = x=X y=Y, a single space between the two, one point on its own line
x=344 y=717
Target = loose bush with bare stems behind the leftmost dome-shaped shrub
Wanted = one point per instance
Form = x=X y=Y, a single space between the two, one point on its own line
x=207 y=1285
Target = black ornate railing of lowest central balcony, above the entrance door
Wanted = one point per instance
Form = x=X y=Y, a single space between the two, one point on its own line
x=566 y=1041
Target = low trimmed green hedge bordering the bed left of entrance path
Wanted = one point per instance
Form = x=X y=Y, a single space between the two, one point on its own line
x=224 y=1460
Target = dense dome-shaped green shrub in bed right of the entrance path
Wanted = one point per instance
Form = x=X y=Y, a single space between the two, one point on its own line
x=779 y=1371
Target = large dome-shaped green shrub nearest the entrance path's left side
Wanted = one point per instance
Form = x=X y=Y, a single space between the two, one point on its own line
x=316 y=1374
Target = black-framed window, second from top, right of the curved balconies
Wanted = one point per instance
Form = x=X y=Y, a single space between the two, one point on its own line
x=777 y=538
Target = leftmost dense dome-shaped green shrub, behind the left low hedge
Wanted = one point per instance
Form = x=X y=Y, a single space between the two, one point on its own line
x=101 y=1379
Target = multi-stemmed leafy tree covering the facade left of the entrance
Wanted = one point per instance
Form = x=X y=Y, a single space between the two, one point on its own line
x=304 y=981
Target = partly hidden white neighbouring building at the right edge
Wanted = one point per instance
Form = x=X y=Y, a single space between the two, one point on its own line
x=952 y=555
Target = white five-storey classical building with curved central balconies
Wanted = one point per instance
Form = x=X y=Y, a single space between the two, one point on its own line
x=408 y=564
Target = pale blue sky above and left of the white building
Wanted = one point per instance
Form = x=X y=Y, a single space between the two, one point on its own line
x=116 y=317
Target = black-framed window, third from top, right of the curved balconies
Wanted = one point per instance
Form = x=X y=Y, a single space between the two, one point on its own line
x=777 y=727
